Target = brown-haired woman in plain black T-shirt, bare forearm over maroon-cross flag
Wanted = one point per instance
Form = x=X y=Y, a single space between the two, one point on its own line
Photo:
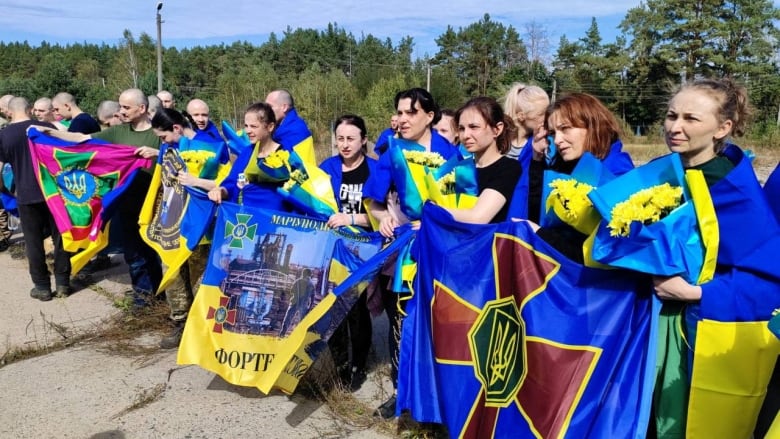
x=487 y=133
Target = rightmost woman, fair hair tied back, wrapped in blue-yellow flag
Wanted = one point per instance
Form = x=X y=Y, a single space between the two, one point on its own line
x=724 y=355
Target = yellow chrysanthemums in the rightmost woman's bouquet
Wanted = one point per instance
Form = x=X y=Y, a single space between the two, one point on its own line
x=647 y=206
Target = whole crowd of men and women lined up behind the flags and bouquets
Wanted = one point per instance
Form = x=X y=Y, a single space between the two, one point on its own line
x=512 y=146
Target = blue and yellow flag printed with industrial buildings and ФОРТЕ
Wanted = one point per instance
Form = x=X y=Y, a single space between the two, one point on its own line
x=266 y=306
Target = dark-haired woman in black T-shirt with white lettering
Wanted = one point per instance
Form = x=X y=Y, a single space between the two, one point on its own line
x=349 y=171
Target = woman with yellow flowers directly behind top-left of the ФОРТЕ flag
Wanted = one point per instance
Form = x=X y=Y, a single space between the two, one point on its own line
x=246 y=183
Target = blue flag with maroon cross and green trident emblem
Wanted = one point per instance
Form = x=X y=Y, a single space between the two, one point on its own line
x=526 y=344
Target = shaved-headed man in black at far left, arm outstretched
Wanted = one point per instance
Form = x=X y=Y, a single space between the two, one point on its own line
x=36 y=219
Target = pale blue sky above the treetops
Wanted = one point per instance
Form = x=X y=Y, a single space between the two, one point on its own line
x=200 y=22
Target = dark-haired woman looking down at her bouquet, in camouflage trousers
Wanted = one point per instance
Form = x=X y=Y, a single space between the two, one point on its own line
x=204 y=162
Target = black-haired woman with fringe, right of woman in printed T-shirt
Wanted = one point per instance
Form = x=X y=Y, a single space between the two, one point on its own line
x=417 y=113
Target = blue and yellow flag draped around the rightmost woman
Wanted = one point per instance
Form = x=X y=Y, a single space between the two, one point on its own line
x=734 y=351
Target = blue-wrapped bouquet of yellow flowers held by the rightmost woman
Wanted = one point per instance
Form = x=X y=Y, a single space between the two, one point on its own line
x=659 y=220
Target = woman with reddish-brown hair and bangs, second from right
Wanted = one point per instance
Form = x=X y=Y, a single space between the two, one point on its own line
x=578 y=123
